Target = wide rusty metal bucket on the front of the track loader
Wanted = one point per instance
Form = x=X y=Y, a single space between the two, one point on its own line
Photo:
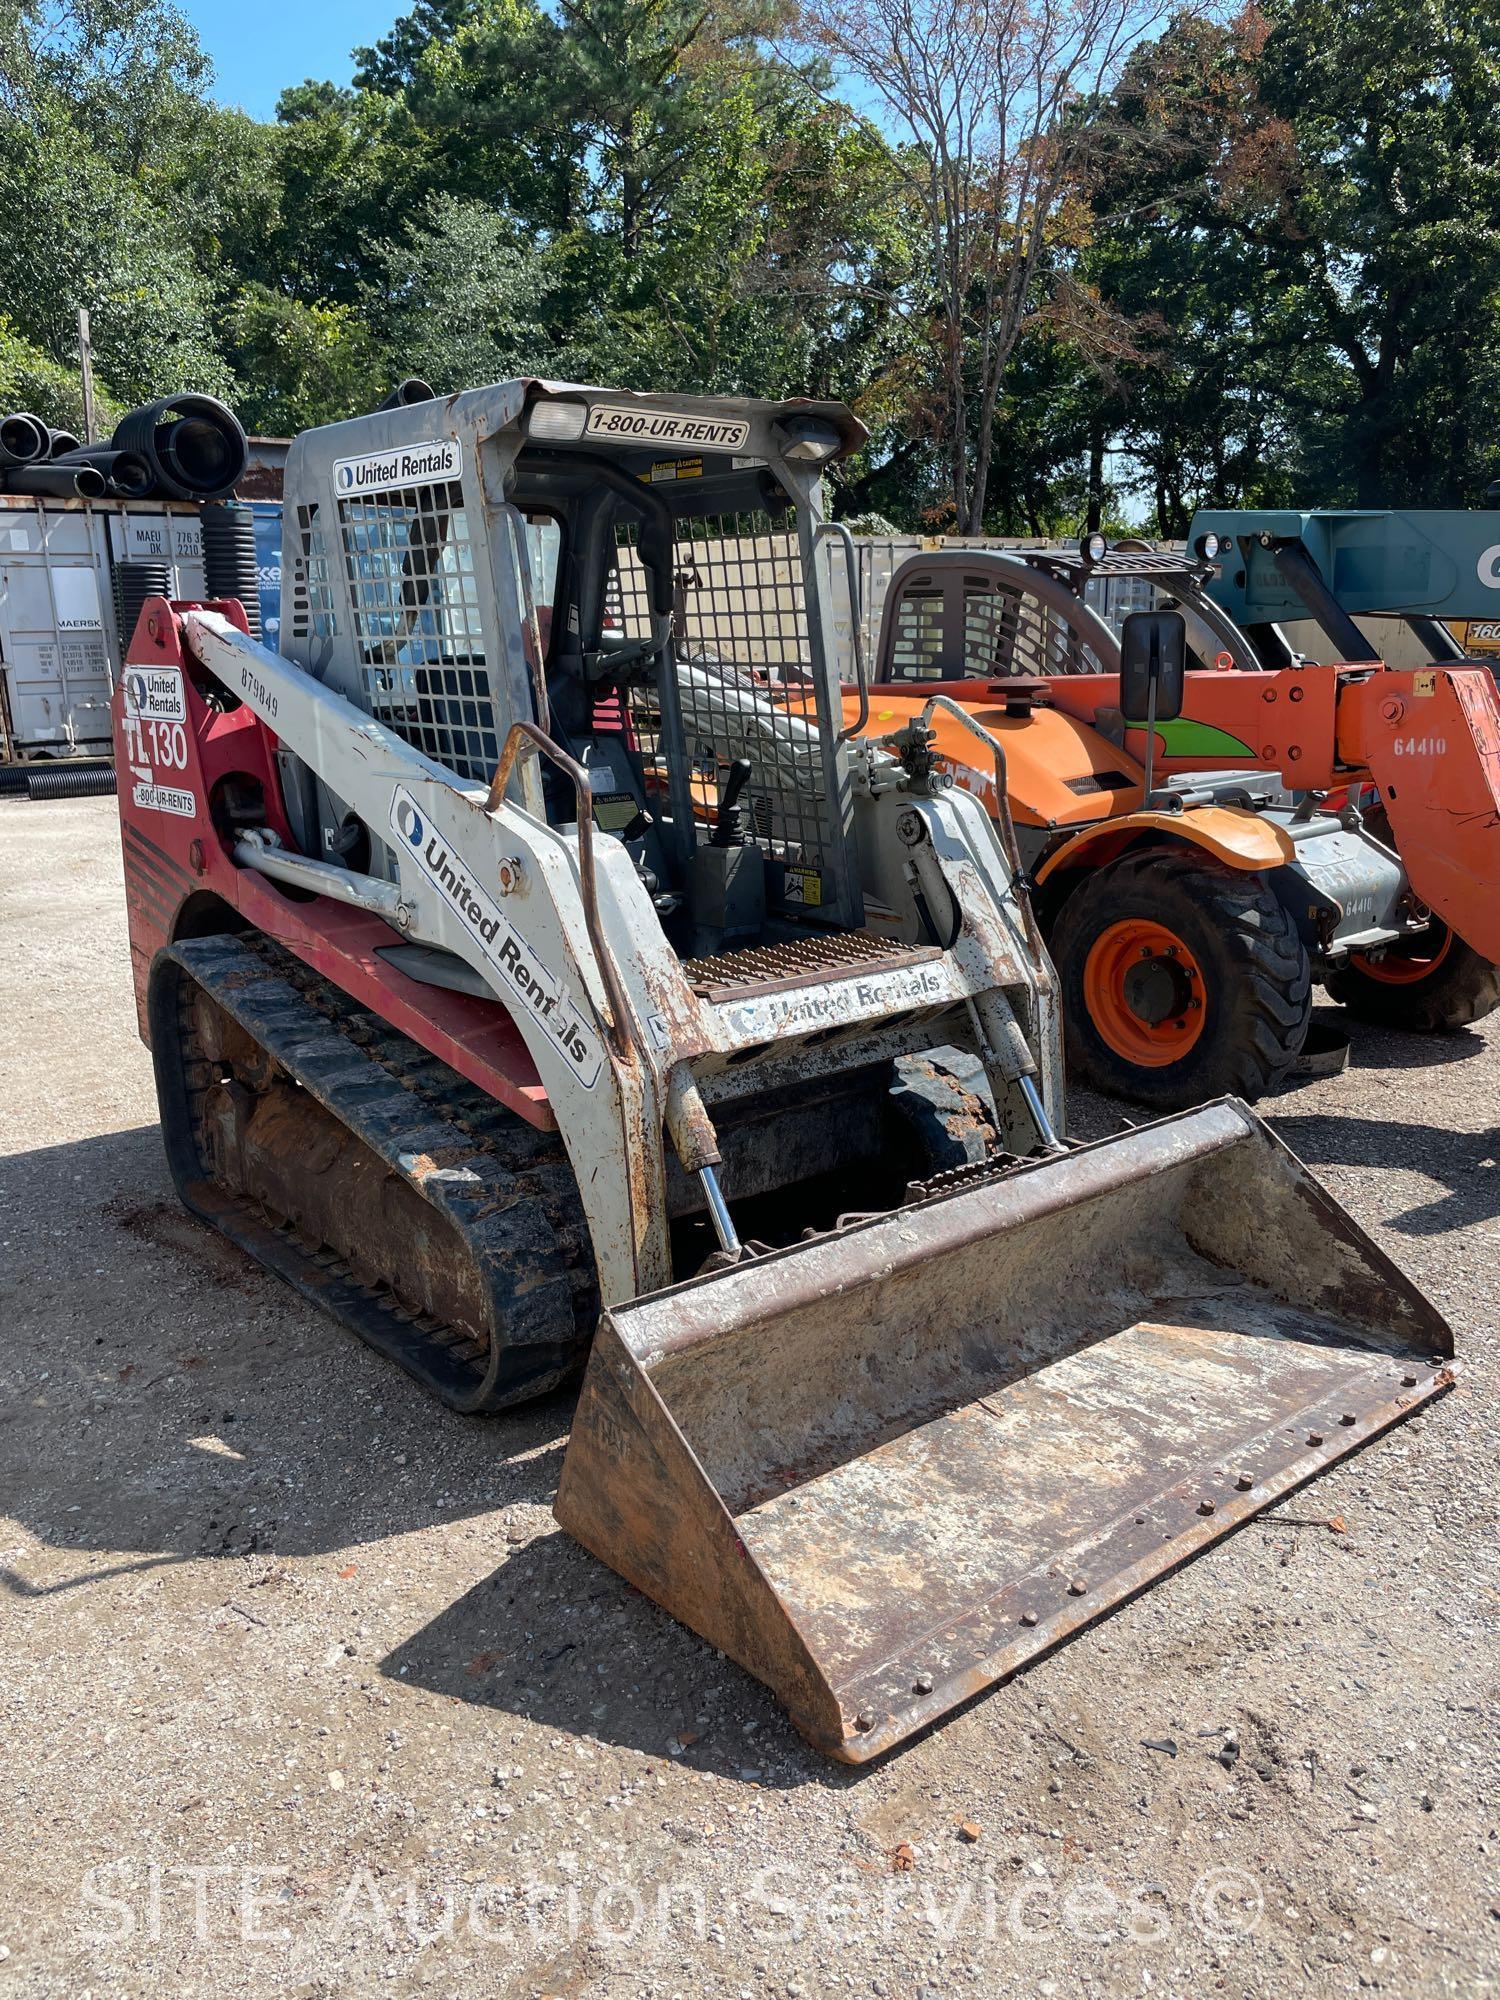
x=887 y=1467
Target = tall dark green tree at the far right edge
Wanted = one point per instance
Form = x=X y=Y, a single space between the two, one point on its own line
x=1381 y=199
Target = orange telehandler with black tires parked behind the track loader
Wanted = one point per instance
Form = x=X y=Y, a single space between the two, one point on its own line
x=1207 y=839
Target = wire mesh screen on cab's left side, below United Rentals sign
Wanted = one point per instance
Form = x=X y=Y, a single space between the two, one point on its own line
x=417 y=621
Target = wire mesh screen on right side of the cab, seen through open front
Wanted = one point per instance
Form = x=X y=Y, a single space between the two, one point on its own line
x=745 y=677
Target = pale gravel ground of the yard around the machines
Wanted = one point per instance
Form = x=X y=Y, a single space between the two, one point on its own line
x=305 y=1695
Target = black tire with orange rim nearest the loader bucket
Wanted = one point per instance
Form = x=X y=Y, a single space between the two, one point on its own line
x=1181 y=981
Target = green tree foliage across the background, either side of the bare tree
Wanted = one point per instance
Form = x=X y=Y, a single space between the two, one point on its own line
x=1277 y=281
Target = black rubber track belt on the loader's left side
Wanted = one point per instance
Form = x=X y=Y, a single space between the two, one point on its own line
x=507 y=1187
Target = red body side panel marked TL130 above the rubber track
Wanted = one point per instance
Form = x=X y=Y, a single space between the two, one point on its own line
x=181 y=763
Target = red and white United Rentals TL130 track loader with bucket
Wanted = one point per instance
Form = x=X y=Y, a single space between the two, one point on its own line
x=475 y=1031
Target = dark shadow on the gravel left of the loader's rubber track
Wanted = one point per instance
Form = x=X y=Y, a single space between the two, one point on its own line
x=167 y=1401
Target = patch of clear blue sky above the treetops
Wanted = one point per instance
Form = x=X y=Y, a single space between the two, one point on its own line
x=263 y=49
